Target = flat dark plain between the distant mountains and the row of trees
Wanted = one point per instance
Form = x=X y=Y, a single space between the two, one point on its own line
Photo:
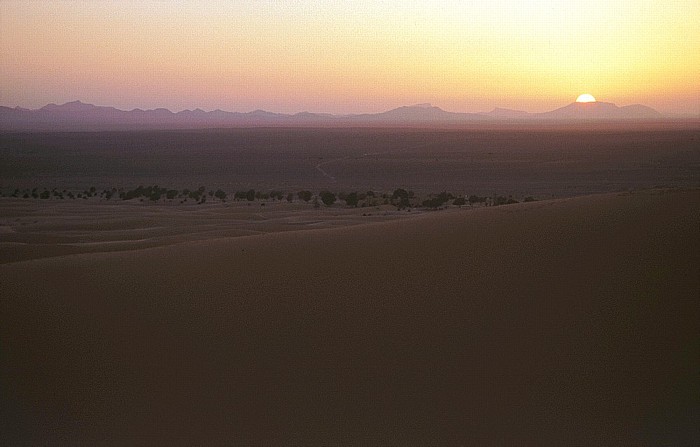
x=533 y=161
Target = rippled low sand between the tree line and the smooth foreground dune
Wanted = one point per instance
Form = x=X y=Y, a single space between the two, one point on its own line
x=33 y=229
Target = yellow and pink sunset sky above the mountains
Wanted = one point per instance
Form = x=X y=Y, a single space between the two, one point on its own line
x=351 y=56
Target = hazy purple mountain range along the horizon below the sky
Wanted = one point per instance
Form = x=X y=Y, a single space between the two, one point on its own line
x=79 y=116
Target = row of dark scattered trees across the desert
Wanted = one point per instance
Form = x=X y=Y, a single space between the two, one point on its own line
x=400 y=197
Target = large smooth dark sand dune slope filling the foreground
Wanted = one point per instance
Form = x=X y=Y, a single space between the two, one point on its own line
x=563 y=322
